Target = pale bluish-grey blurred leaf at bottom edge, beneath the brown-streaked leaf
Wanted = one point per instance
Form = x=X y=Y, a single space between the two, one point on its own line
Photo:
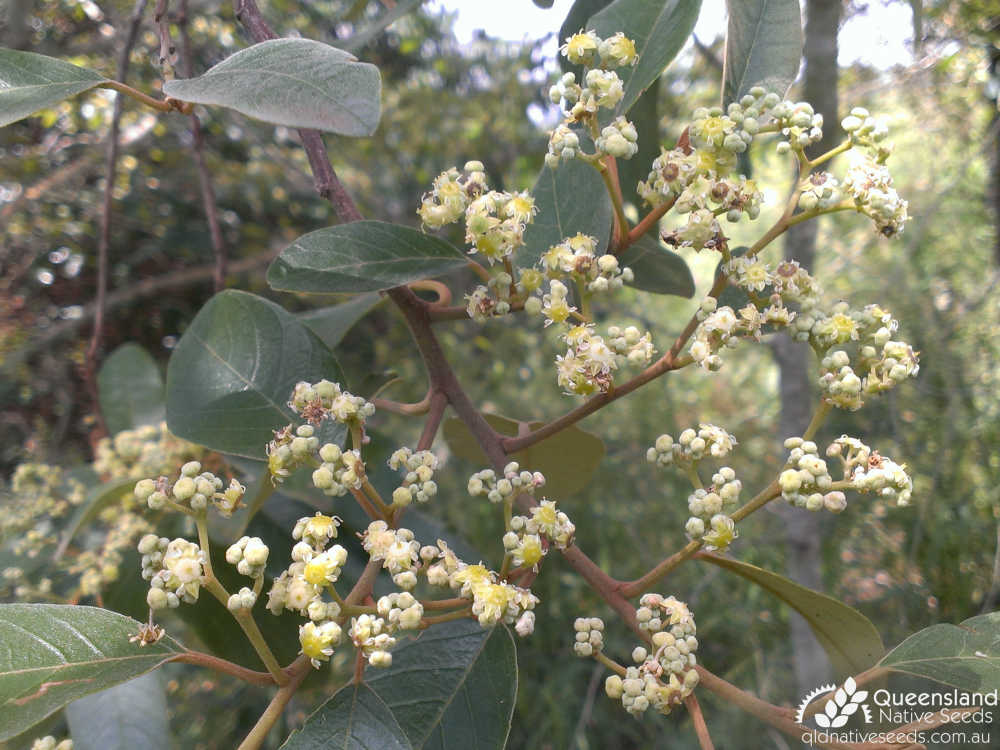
x=124 y=717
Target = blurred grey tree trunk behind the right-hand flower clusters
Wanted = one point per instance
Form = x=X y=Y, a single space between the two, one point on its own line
x=803 y=533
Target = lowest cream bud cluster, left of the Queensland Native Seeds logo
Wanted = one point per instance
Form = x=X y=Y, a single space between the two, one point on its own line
x=664 y=678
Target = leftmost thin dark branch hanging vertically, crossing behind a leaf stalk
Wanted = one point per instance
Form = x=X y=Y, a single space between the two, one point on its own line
x=104 y=238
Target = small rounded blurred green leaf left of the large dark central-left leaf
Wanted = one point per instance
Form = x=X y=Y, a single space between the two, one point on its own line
x=130 y=389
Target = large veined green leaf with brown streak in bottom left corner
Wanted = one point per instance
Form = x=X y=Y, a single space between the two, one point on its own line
x=53 y=654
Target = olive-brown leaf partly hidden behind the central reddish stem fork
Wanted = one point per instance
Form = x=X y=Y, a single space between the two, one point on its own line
x=562 y=477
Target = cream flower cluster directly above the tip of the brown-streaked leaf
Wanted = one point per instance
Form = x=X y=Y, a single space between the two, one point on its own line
x=173 y=569
